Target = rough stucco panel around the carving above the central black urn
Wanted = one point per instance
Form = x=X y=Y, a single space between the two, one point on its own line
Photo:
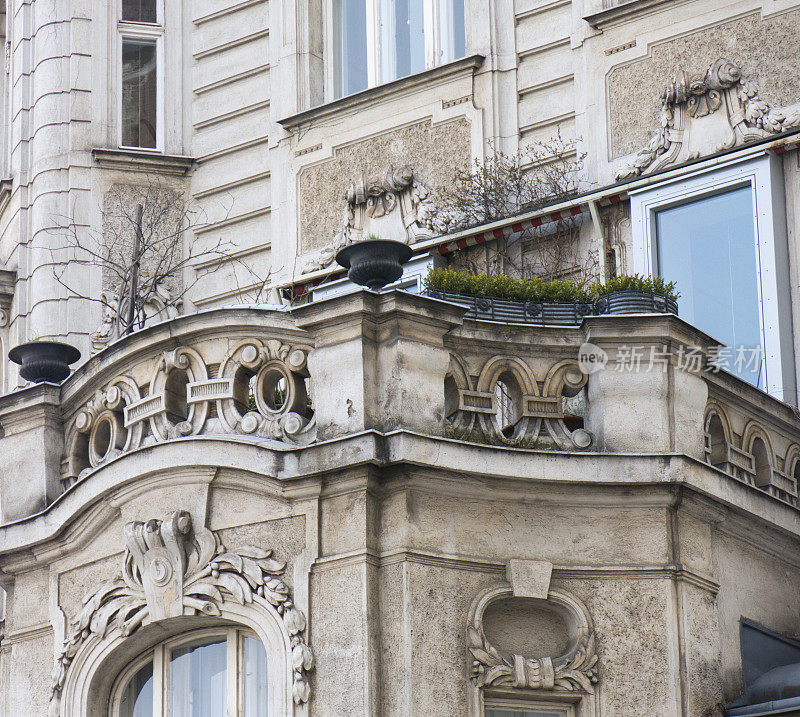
x=432 y=151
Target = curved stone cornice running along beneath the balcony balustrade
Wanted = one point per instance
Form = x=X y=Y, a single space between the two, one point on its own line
x=447 y=465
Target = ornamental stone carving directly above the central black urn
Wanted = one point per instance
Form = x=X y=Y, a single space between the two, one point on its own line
x=394 y=205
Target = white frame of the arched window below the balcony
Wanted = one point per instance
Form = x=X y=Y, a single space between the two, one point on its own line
x=160 y=657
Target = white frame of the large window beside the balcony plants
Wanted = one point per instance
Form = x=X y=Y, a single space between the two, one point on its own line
x=763 y=174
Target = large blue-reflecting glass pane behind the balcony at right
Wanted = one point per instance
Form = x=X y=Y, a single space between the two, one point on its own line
x=708 y=248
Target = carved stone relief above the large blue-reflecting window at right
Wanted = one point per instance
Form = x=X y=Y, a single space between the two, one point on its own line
x=706 y=113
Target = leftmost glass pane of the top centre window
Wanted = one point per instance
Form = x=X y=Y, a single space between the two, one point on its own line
x=350 y=46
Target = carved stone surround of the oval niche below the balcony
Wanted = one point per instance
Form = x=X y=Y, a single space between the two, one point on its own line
x=574 y=670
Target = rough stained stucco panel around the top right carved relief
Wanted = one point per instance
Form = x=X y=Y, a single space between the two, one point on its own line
x=756 y=45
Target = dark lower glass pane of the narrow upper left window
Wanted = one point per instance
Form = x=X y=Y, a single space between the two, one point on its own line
x=139 y=94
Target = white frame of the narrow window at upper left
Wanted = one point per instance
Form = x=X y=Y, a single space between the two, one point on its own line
x=148 y=32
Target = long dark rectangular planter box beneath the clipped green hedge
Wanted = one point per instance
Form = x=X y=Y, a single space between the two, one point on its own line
x=545 y=313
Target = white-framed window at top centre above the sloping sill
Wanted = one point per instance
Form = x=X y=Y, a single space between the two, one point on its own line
x=376 y=41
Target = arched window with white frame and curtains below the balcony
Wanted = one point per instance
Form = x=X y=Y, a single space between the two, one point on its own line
x=208 y=672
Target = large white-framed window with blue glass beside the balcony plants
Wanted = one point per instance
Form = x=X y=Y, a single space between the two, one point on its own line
x=721 y=236
